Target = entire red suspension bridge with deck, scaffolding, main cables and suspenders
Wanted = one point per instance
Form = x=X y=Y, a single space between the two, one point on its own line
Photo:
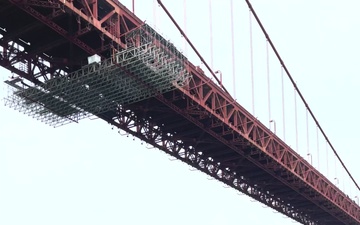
x=97 y=59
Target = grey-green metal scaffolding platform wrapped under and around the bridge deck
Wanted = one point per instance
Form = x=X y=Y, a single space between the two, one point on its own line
x=148 y=67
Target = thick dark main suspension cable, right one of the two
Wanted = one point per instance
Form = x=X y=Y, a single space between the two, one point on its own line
x=299 y=92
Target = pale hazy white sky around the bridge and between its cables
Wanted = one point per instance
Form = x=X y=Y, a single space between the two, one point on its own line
x=87 y=173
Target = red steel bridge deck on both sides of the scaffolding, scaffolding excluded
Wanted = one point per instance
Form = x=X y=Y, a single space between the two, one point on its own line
x=199 y=124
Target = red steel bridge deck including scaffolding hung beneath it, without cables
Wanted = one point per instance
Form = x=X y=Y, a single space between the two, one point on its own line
x=77 y=58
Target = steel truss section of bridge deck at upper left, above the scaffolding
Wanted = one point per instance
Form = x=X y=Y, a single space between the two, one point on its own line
x=111 y=23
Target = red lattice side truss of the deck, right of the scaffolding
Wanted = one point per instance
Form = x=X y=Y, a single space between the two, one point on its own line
x=236 y=123
